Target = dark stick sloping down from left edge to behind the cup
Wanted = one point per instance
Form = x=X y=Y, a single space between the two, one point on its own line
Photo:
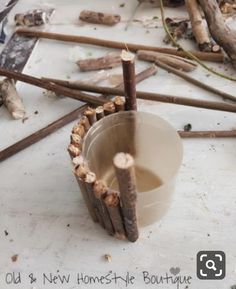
x=53 y=87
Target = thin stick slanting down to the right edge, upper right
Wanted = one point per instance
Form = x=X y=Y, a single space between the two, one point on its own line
x=195 y=81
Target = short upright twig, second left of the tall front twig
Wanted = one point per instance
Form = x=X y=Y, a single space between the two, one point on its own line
x=100 y=190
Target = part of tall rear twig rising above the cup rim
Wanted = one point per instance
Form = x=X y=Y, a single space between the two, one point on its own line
x=129 y=80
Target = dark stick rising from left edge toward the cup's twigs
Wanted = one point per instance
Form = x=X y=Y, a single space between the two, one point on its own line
x=39 y=135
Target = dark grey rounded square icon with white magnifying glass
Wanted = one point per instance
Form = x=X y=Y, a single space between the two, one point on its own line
x=211 y=265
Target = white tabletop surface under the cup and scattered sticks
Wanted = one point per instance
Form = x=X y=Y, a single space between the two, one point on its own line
x=39 y=196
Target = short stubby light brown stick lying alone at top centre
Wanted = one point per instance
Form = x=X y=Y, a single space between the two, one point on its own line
x=99 y=17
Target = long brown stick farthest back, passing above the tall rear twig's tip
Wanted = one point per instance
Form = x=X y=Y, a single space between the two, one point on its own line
x=208 y=56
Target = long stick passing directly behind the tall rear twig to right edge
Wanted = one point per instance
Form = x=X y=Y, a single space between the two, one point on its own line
x=164 y=98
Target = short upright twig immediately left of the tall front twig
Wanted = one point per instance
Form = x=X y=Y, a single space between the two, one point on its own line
x=112 y=202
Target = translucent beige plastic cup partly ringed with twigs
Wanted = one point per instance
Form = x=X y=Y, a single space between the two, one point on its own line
x=157 y=150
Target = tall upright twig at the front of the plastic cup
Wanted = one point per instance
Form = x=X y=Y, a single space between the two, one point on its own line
x=125 y=173
